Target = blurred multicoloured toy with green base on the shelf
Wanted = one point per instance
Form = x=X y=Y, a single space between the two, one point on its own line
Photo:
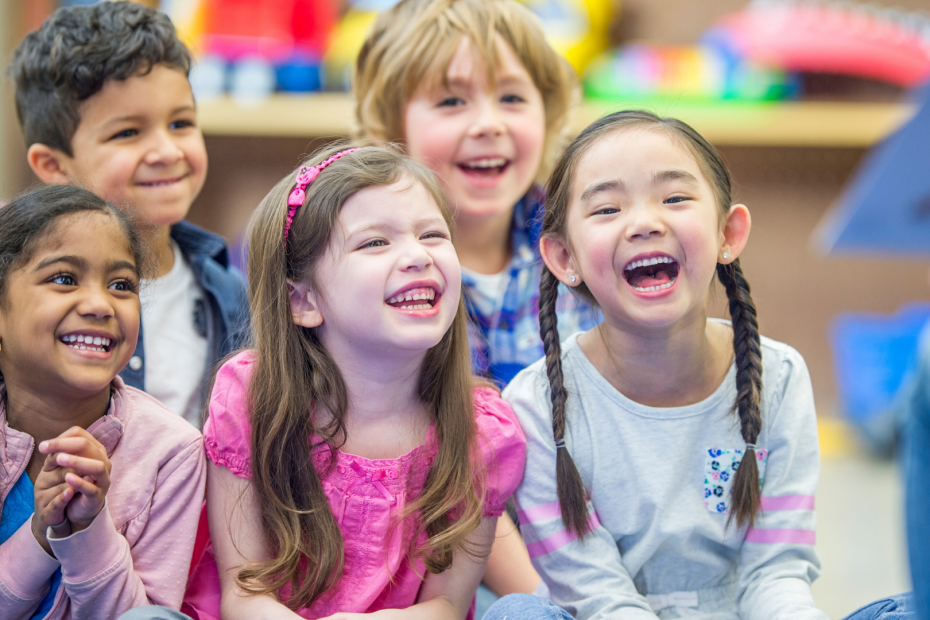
x=700 y=73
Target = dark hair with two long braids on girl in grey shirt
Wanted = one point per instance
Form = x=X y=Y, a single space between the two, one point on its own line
x=746 y=344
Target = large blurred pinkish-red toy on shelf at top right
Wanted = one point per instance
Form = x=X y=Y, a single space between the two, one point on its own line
x=842 y=38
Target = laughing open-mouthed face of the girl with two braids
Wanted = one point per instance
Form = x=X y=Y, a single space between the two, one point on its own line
x=644 y=227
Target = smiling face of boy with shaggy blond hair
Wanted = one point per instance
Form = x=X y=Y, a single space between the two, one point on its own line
x=485 y=141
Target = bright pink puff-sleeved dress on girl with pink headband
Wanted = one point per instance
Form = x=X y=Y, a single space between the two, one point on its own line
x=364 y=495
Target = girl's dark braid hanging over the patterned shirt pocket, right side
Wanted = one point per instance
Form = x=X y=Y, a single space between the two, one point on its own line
x=747 y=494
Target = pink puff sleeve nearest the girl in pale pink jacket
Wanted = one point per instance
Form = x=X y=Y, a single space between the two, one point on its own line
x=227 y=433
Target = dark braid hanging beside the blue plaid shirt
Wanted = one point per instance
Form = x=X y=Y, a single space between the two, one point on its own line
x=568 y=481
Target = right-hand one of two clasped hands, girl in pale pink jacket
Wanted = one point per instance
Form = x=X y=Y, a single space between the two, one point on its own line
x=88 y=473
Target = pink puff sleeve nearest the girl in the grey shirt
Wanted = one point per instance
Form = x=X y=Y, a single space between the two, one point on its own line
x=503 y=448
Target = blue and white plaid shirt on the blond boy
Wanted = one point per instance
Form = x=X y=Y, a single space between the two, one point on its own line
x=506 y=340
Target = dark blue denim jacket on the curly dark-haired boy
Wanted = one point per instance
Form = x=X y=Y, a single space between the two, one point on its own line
x=224 y=317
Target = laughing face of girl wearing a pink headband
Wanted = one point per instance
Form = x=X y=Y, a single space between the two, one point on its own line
x=390 y=280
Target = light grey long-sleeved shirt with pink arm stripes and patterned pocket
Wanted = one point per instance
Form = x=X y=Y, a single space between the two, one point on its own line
x=658 y=482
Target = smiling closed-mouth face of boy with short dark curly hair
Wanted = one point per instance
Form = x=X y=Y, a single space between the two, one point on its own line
x=138 y=144
